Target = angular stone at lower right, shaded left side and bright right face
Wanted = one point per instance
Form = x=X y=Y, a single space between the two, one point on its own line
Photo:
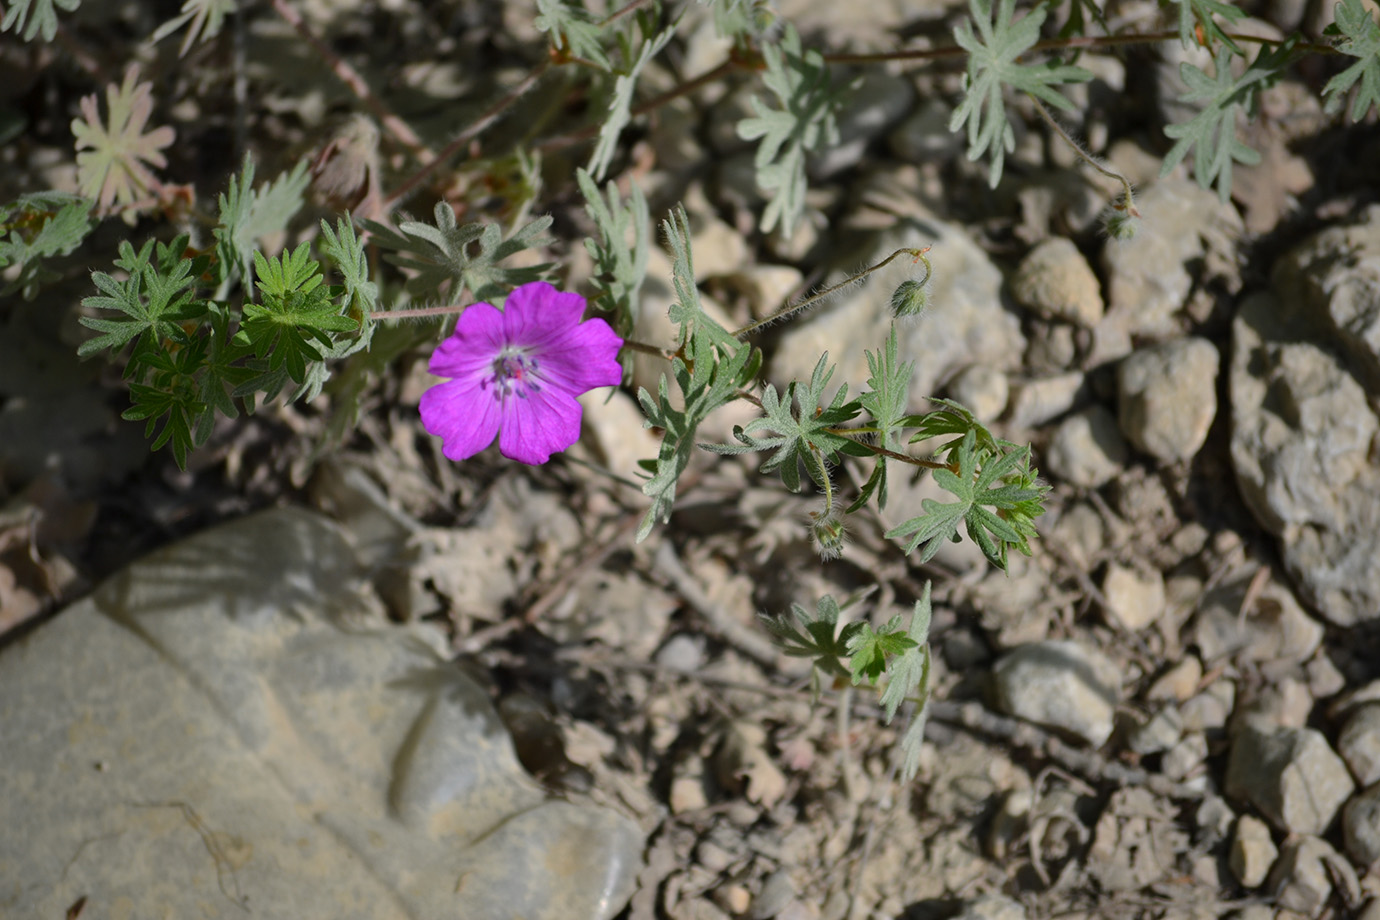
x=1292 y=776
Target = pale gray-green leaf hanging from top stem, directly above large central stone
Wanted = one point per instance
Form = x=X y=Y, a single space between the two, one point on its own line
x=804 y=123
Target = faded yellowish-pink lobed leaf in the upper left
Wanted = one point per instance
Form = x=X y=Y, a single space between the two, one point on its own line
x=112 y=157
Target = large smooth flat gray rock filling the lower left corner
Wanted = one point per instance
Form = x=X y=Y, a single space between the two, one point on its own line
x=230 y=728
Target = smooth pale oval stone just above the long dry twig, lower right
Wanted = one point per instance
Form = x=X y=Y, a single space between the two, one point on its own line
x=1061 y=685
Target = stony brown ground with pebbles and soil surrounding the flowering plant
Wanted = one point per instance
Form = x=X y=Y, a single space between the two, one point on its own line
x=1172 y=710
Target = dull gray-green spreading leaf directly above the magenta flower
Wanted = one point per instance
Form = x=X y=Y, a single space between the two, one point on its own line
x=456 y=259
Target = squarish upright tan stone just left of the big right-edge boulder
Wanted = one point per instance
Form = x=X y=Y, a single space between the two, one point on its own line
x=1168 y=398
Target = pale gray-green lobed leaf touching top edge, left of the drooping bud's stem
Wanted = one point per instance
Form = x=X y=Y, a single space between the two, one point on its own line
x=993 y=63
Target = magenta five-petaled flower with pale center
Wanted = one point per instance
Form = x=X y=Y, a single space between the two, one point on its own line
x=517 y=374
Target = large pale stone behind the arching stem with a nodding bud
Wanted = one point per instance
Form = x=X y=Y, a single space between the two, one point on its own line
x=965 y=325
